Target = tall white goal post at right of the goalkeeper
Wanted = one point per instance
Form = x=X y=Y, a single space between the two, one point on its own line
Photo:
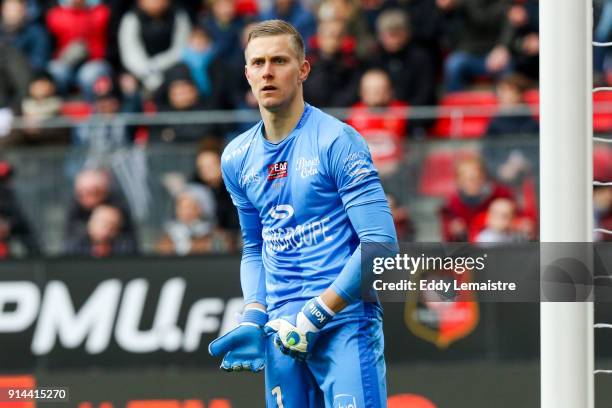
x=566 y=174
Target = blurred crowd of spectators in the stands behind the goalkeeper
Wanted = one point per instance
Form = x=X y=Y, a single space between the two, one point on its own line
x=378 y=58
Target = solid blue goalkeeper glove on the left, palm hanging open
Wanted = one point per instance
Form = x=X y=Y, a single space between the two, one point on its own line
x=243 y=347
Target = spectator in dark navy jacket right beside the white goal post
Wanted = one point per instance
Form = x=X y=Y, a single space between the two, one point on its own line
x=511 y=162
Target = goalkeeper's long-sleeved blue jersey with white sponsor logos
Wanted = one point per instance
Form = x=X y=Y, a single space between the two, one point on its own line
x=294 y=199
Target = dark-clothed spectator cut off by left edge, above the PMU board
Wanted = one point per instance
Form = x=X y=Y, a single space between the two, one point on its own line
x=14 y=228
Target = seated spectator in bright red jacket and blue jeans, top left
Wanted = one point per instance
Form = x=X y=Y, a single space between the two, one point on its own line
x=79 y=28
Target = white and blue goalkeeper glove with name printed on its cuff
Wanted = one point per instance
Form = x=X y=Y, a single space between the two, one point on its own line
x=297 y=340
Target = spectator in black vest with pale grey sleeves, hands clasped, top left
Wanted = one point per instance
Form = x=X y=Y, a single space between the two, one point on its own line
x=151 y=38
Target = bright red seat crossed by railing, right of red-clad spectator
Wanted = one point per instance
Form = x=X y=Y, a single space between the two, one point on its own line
x=463 y=122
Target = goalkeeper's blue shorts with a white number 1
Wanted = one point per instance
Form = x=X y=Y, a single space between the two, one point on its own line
x=345 y=370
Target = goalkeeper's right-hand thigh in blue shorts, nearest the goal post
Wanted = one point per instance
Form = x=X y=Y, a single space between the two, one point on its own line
x=349 y=367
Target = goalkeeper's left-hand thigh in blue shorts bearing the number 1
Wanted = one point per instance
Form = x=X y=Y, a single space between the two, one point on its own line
x=289 y=383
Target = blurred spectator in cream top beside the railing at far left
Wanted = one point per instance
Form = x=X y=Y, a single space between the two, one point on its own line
x=41 y=105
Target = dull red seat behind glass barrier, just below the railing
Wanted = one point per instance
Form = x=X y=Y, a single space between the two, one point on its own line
x=437 y=177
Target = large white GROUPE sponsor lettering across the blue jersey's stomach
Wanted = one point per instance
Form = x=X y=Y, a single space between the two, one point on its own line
x=284 y=239
